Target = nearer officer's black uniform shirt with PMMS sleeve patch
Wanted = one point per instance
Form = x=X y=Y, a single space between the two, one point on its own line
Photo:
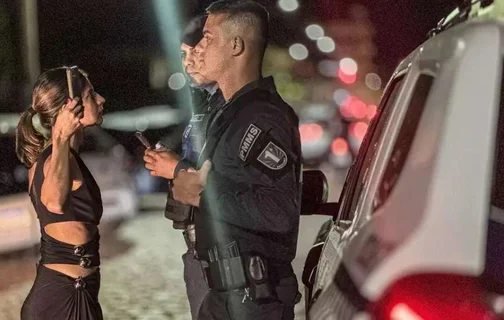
x=252 y=191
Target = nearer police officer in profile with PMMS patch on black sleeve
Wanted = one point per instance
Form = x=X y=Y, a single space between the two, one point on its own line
x=247 y=187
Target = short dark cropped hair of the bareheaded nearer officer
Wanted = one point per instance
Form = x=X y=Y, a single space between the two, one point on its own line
x=245 y=13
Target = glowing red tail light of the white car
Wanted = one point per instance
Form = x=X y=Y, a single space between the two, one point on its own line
x=434 y=297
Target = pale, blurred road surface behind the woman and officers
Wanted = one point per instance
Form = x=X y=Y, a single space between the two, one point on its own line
x=141 y=266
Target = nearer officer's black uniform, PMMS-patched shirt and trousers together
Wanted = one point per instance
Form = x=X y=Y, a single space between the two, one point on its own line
x=252 y=198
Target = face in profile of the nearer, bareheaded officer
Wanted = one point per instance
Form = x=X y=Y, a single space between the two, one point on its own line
x=213 y=49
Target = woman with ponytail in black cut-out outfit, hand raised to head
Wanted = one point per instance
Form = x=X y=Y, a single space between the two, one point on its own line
x=65 y=196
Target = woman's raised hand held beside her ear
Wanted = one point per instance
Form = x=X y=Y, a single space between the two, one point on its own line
x=68 y=120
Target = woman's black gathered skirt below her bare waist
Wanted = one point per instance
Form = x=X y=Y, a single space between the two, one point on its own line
x=56 y=296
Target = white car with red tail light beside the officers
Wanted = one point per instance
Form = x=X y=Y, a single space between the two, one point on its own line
x=419 y=233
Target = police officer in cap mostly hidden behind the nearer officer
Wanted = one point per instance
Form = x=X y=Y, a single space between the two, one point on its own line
x=206 y=100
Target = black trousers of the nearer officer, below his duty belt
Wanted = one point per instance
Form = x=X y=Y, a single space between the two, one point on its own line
x=231 y=305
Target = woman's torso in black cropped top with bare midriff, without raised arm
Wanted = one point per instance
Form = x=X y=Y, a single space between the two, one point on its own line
x=77 y=224
